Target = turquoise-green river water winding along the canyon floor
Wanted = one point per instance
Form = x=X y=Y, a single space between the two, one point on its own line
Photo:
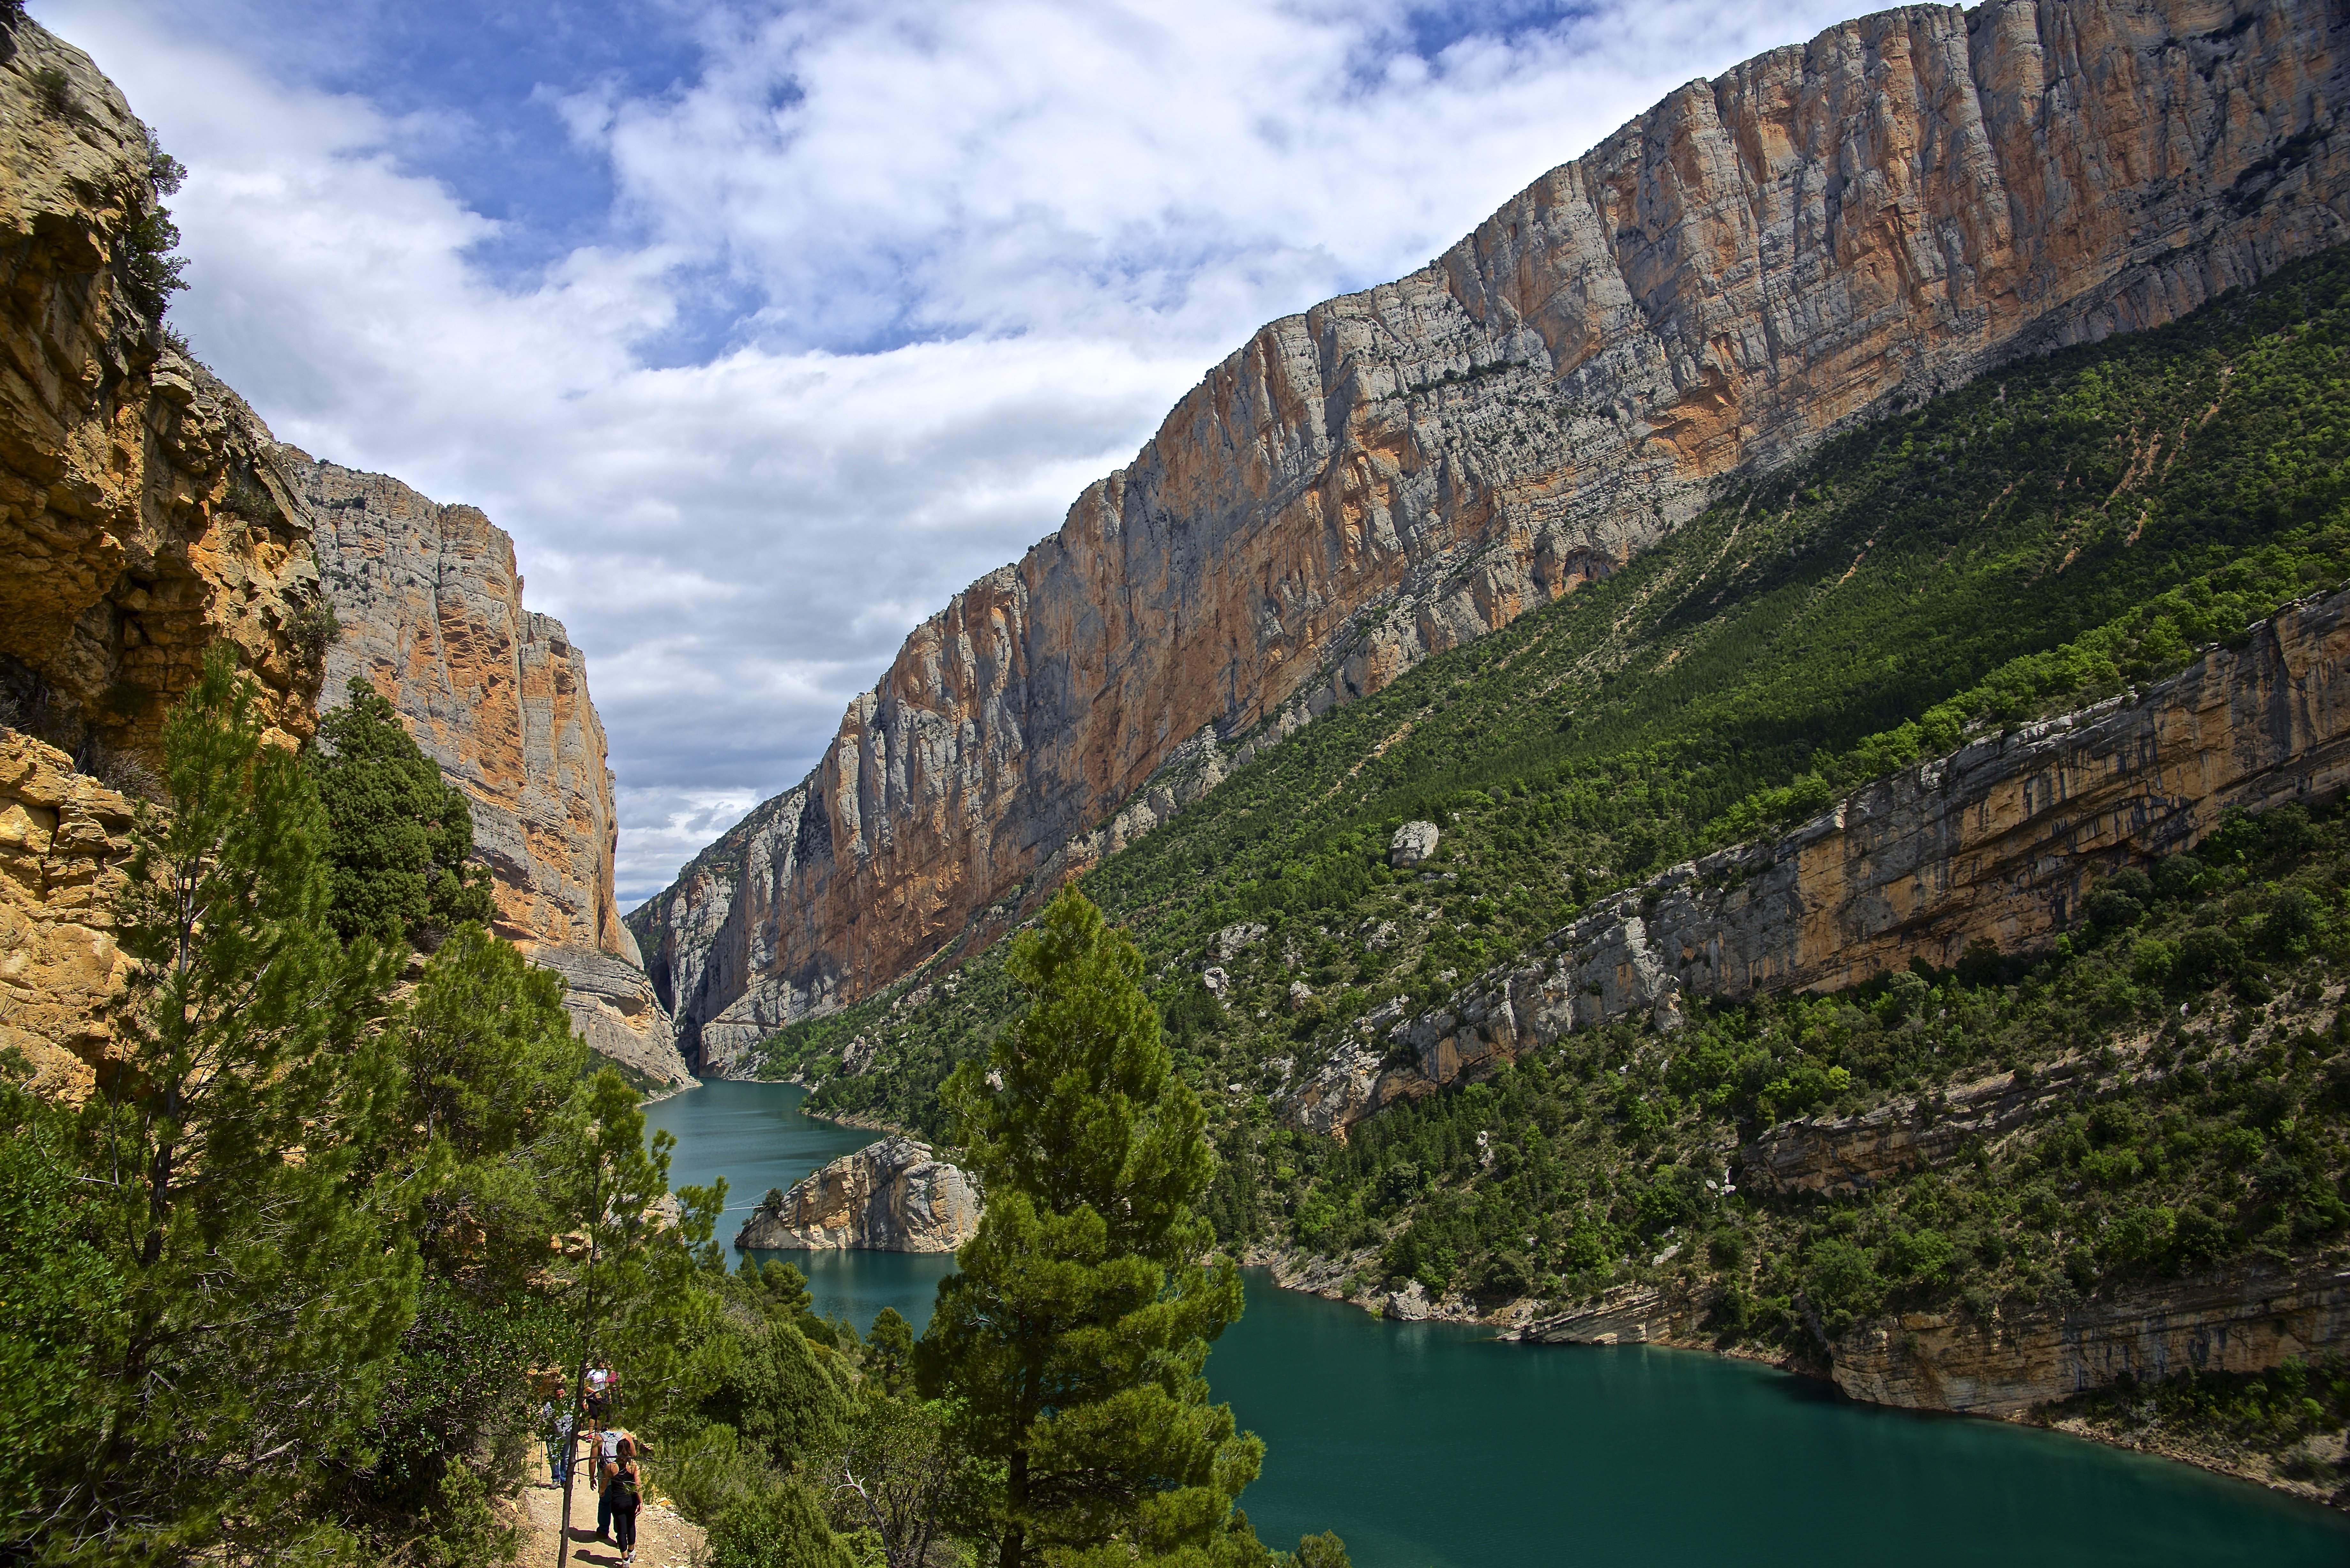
x=1435 y=1447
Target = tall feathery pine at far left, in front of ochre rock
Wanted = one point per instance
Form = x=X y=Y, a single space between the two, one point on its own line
x=260 y=1275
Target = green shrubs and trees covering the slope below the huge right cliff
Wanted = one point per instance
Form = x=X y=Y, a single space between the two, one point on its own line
x=2060 y=532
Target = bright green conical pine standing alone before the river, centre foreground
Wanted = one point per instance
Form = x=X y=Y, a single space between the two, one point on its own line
x=1075 y=1334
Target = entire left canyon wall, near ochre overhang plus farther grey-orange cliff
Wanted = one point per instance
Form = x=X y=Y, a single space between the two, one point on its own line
x=147 y=516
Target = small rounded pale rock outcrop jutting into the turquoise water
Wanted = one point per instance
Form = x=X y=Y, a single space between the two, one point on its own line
x=889 y=1198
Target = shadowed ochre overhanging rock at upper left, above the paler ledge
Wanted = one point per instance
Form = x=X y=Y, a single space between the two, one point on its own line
x=142 y=514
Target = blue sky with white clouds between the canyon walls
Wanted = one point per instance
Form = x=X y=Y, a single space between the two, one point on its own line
x=767 y=326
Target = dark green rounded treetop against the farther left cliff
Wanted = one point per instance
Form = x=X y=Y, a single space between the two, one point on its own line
x=403 y=838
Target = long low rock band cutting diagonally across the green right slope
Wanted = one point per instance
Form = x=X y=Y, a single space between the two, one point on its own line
x=1994 y=843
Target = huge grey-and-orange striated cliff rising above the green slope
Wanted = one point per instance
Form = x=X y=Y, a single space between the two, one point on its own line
x=1822 y=234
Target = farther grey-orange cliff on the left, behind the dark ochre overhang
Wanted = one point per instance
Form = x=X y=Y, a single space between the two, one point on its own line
x=431 y=608
